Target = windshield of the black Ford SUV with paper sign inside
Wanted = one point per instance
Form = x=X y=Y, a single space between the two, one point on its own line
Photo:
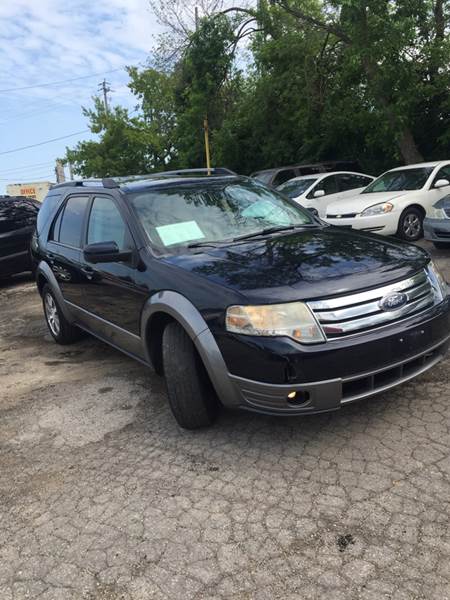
x=184 y=215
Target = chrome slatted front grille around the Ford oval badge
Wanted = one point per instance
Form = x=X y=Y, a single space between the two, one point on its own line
x=352 y=314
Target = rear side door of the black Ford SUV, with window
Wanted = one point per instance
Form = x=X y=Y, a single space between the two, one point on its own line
x=64 y=247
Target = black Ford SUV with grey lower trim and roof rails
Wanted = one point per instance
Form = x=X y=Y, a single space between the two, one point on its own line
x=236 y=294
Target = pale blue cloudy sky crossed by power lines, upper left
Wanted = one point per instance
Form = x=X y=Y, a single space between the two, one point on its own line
x=46 y=41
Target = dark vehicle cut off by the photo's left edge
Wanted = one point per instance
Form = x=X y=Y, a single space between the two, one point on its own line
x=17 y=223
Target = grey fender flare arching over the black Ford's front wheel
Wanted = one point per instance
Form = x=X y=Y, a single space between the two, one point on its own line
x=184 y=312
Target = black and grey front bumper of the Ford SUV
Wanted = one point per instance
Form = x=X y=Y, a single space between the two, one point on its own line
x=375 y=367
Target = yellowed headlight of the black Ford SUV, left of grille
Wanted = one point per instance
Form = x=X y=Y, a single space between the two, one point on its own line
x=294 y=320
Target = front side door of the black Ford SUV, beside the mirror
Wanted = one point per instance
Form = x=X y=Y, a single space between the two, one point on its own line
x=113 y=294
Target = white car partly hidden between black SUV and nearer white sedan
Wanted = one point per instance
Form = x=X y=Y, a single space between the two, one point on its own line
x=315 y=192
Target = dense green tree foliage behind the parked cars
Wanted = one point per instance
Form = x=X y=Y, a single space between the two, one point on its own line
x=335 y=79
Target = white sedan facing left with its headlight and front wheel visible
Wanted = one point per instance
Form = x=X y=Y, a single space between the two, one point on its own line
x=396 y=202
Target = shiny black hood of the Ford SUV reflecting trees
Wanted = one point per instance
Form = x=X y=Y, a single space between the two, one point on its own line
x=304 y=265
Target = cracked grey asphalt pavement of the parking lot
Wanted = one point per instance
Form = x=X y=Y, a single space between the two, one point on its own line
x=103 y=497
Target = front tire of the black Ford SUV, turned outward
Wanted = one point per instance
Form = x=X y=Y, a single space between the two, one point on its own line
x=191 y=395
